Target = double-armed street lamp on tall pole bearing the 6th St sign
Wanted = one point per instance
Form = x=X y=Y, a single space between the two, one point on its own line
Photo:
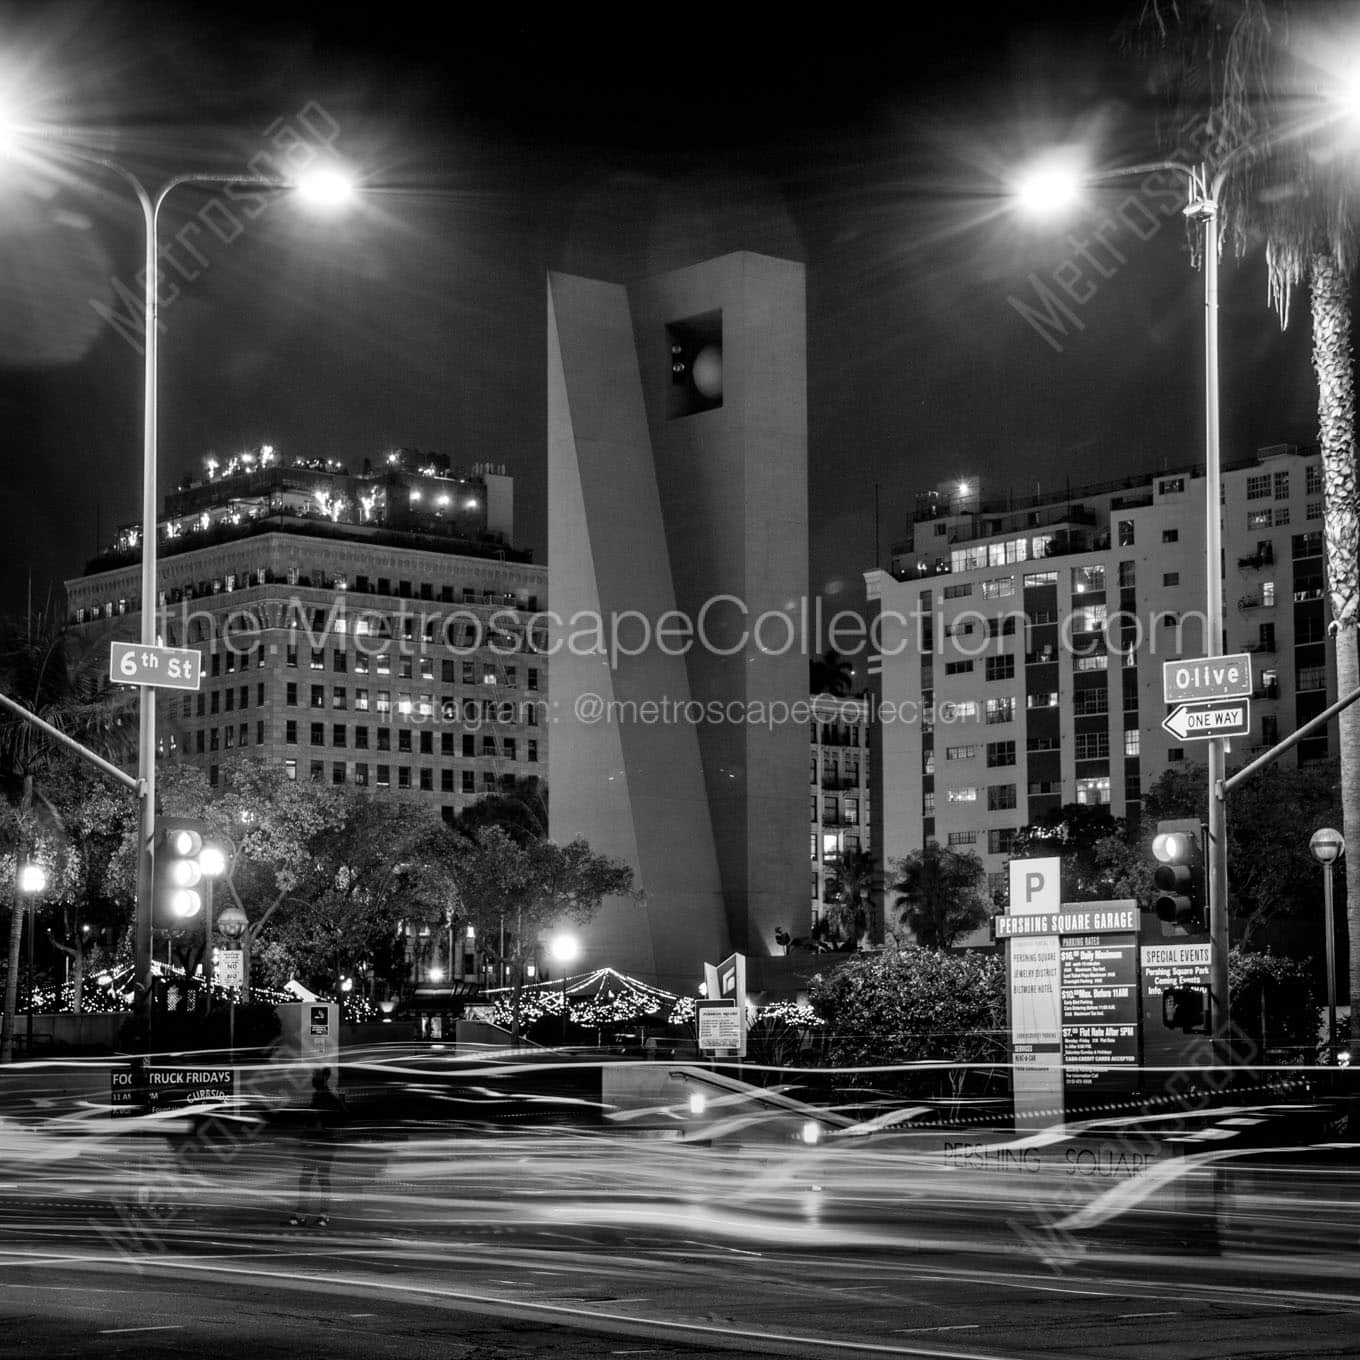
x=322 y=186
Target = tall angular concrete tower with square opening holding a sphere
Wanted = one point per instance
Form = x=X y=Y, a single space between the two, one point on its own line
x=678 y=488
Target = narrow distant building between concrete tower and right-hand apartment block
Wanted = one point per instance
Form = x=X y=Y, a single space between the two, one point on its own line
x=838 y=794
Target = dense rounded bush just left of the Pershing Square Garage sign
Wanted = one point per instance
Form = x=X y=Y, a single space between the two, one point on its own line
x=915 y=1006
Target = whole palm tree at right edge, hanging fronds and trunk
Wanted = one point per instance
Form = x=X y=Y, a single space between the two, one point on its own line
x=1236 y=69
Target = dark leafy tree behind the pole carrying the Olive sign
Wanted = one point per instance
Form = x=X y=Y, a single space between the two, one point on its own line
x=1271 y=871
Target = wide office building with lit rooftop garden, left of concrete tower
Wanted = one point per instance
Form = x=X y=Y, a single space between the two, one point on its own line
x=375 y=630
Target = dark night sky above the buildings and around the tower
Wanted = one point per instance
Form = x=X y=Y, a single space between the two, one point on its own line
x=493 y=153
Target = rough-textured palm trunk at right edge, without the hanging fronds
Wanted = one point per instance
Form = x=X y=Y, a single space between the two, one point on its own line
x=1332 y=362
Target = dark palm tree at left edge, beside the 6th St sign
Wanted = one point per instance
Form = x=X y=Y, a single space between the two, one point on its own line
x=61 y=679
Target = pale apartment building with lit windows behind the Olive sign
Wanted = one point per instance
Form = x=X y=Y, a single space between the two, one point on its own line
x=1022 y=645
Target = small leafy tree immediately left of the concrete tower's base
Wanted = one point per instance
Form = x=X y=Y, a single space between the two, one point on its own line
x=531 y=887
